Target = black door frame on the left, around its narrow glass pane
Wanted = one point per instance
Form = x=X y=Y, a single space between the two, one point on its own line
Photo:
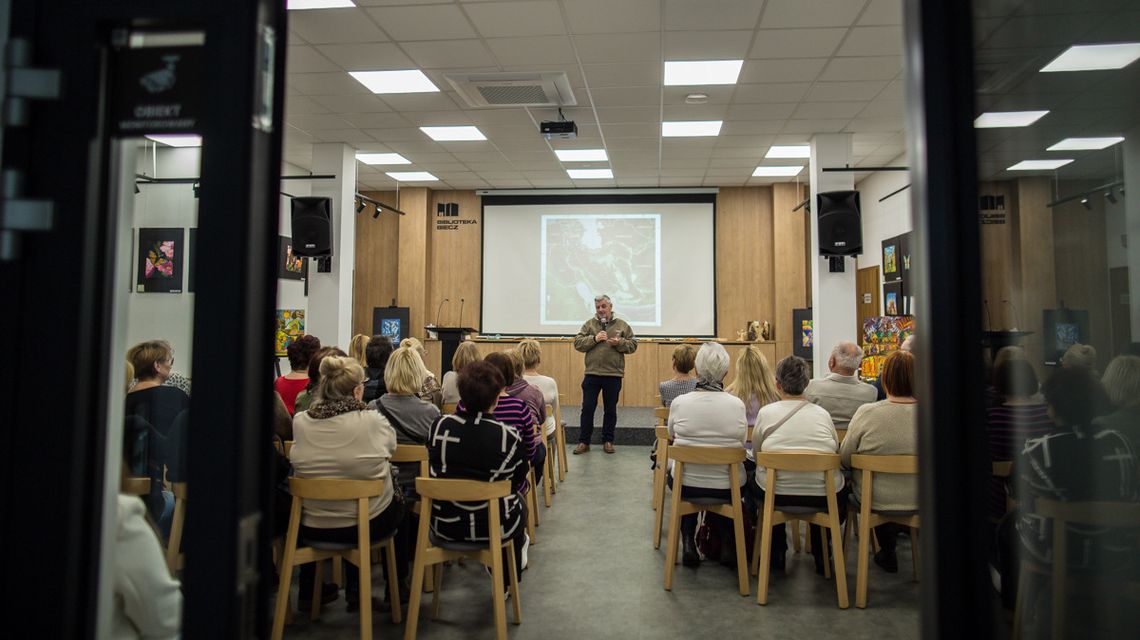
x=59 y=326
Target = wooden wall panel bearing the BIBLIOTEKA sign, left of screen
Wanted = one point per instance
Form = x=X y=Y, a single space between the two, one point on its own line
x=455 y=265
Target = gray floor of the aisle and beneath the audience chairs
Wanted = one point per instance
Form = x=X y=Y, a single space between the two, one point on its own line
x=596 y=574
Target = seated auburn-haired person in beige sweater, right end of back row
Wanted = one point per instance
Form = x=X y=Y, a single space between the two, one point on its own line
x=887 y=427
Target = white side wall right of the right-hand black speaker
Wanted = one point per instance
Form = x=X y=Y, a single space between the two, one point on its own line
x=884 y=220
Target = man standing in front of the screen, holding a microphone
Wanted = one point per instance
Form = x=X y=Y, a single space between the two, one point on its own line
x=606 y=341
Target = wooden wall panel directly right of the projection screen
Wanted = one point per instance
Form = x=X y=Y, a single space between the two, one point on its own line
x=744 y=246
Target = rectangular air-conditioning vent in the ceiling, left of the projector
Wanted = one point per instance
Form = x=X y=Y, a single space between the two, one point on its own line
x=491 y=91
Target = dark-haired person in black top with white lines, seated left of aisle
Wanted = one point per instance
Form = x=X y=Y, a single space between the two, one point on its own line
x=473 y=445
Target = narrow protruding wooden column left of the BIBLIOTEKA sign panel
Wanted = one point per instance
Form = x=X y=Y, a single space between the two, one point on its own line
x=412 y=290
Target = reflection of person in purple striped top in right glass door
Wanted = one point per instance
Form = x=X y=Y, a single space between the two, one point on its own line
x=1019 y=418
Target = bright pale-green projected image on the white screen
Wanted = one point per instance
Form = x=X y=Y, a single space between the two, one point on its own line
x=618 y=255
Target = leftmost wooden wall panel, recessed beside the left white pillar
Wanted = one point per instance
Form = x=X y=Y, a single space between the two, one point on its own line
x=374 y=283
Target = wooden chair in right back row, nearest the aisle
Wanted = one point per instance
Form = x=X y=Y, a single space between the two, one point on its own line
x=730 y=457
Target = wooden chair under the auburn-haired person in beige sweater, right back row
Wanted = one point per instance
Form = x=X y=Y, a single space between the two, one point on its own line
x=870 y=519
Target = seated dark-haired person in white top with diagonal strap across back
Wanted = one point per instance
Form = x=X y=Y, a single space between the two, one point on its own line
x=796 y=425
